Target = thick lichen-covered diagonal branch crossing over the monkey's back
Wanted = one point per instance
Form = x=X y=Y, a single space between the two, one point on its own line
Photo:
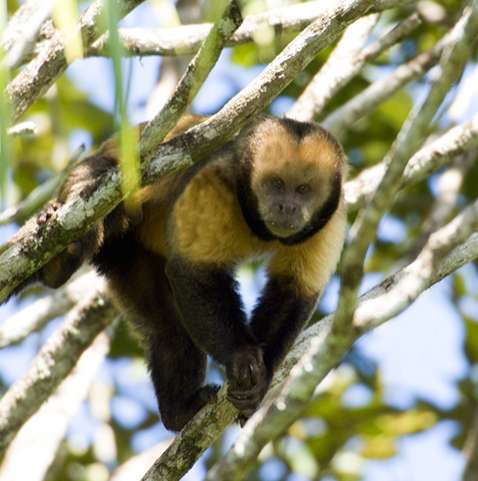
x=35 y=245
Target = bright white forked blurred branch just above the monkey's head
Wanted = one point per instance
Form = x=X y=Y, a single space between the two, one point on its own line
x=345 y=62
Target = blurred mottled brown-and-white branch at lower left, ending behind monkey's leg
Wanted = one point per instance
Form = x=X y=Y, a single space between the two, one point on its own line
x=53 y=363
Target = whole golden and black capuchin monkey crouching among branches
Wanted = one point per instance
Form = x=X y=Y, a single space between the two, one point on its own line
x=274 y=192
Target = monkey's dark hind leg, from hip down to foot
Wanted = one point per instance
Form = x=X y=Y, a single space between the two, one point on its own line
x=177 y=365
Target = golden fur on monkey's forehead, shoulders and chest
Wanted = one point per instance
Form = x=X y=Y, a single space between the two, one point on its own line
x=208 y=224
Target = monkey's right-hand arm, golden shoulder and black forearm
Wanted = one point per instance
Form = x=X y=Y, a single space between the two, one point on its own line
x=297 y=277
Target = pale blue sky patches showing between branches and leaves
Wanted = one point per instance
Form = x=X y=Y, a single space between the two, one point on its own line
x=412 y=361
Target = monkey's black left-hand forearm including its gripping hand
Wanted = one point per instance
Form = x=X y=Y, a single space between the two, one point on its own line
x=211 y=312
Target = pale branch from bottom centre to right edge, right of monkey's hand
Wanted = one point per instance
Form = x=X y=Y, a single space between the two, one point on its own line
x=319 y=349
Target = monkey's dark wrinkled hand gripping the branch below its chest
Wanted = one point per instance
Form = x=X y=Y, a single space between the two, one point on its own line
x=248 y=379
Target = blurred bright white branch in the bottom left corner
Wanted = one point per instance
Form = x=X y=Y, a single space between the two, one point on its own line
x=38 y=440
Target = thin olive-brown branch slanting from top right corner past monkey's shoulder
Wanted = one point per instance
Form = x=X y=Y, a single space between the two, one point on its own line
x=414 y=130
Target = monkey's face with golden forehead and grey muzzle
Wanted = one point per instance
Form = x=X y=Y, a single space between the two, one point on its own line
x=292 y=178
